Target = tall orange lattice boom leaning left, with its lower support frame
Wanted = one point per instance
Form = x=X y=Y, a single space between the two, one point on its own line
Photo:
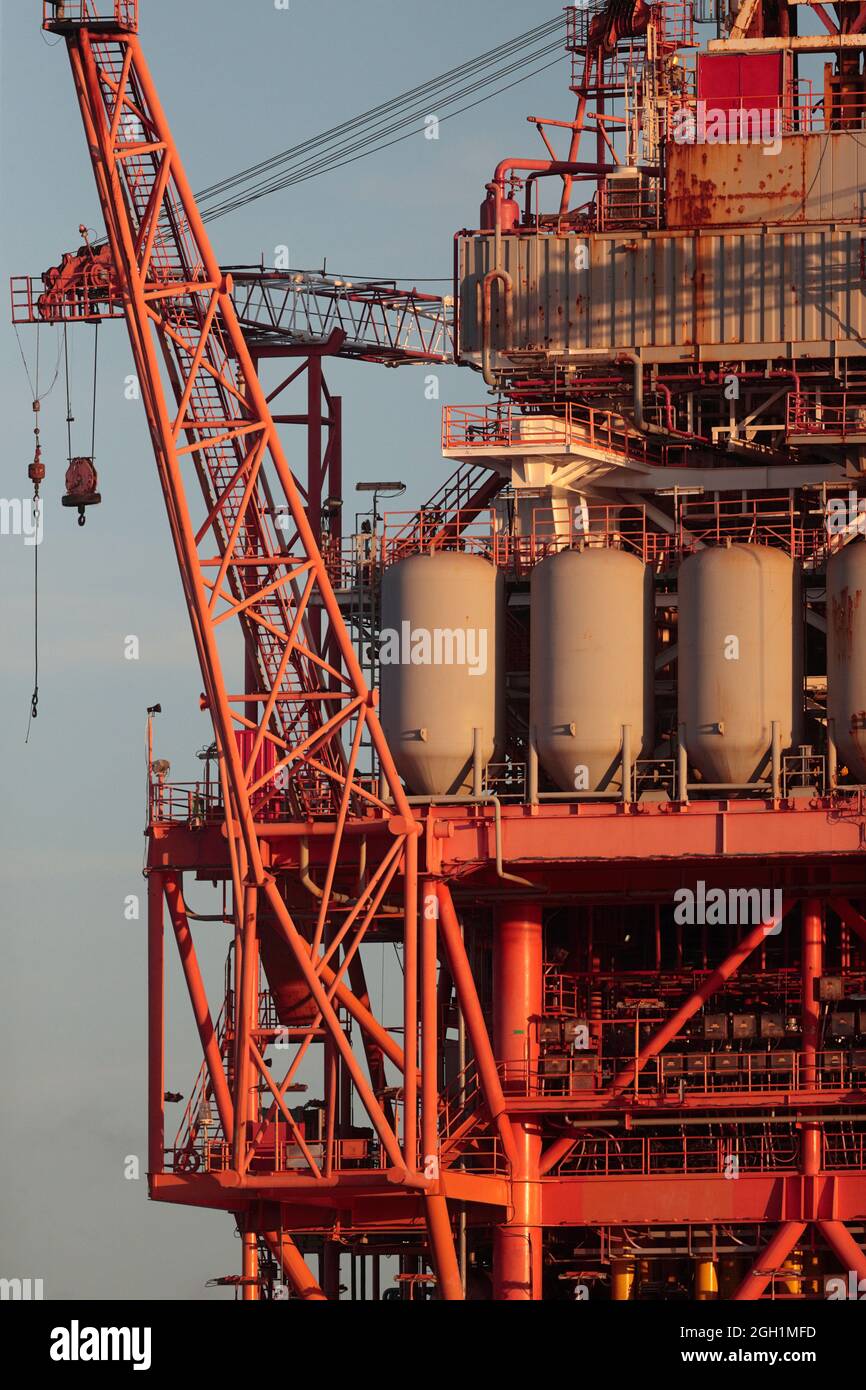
x=301 y=715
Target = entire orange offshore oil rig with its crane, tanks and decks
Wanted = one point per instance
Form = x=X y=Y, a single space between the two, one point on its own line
x=582 y=739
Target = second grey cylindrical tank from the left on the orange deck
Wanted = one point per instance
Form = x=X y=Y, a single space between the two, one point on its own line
x=591 y=665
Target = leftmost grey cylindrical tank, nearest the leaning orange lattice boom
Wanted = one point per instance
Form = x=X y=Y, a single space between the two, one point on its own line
x=443 y=668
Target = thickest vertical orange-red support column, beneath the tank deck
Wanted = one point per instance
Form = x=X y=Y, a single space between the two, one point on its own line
x=518 y=1000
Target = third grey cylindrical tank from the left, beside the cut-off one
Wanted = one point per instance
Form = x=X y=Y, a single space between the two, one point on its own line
x=740 y=660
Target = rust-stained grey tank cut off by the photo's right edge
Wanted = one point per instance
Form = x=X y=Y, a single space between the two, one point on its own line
x=847 y=655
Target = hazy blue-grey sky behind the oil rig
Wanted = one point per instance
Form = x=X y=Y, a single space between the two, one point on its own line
x=240 y=83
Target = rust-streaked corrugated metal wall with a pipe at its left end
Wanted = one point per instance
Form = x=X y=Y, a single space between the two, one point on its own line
x=665 y=293
